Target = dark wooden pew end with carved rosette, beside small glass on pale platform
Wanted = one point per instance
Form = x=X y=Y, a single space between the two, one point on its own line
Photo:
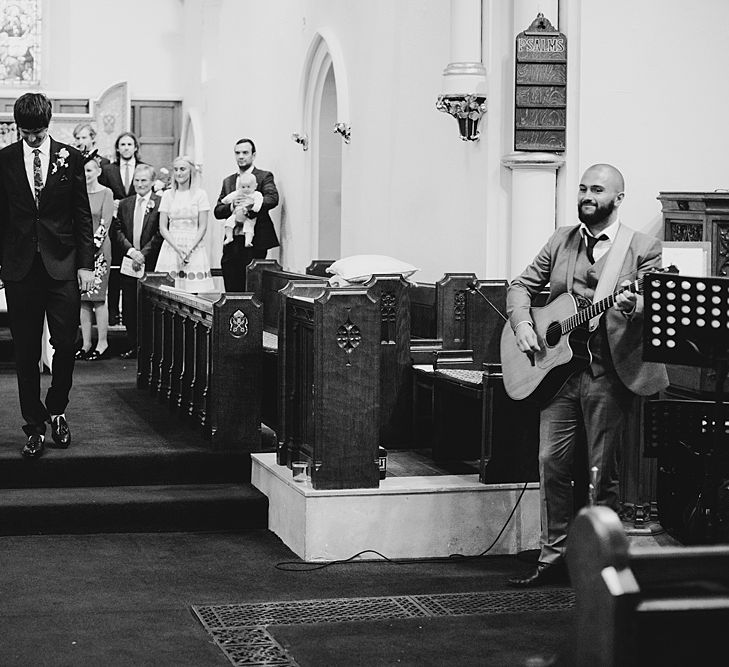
x=330 y=352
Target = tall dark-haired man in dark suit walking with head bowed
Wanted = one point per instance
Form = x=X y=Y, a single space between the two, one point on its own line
x=47 y=259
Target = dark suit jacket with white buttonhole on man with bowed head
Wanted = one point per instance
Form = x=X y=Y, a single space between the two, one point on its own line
x=61 y=226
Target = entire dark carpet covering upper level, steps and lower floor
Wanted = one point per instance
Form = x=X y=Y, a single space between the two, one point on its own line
x=107 y=556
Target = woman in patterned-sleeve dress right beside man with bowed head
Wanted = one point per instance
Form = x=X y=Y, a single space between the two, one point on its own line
x=93 y=302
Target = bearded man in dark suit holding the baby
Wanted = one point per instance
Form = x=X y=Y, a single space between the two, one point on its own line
x=236 y=256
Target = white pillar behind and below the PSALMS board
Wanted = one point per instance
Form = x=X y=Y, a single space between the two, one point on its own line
x=534 y=175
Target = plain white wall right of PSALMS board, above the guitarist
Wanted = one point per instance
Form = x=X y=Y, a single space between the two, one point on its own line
x=650 y=100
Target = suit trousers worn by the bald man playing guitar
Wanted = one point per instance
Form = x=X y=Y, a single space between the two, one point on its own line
x=592 y=409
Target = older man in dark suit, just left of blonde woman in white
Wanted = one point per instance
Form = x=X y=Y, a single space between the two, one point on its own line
x=135 y=231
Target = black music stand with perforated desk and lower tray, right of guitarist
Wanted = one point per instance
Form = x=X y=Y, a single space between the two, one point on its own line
x=686 y=321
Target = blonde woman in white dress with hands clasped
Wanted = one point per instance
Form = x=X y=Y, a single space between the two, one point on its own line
x=183 y=221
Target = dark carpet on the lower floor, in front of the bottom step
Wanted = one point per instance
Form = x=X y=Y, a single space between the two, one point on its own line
x=131 y=599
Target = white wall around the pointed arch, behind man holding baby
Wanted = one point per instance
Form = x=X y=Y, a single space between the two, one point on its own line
x=411 y=187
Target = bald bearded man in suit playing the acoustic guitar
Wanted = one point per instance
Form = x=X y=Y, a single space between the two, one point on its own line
x=592 y=407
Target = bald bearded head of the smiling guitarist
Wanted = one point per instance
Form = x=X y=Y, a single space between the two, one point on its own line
x=600 y=194
